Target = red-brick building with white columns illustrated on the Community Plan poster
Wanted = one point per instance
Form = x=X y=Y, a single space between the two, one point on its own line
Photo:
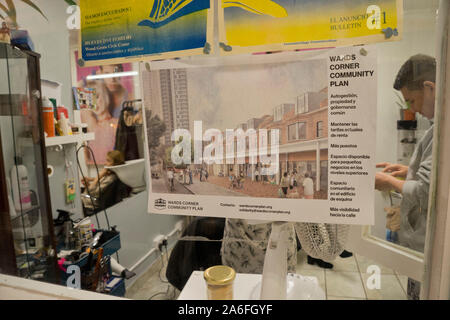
x=303 y=139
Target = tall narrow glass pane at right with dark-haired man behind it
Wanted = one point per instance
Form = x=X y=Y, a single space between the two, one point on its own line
x=406 y=107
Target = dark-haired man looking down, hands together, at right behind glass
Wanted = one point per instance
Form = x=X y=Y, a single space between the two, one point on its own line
x=416 y=81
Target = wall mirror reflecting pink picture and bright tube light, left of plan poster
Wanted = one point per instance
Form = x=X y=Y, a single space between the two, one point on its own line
x=114 y=161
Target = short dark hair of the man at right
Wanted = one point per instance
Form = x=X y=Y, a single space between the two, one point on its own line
x=415 y=71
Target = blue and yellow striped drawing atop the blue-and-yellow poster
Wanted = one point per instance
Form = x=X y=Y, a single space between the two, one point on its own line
x=164 y=11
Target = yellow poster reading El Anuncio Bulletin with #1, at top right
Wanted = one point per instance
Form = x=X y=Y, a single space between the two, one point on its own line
x=266 y=25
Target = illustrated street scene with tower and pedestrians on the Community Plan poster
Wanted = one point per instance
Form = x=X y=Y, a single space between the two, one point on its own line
x=291 y=98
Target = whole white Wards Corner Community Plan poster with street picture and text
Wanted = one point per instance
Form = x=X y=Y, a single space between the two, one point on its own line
x=281 y=138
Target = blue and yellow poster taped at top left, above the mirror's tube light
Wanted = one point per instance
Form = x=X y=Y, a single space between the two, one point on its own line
x=117 y=30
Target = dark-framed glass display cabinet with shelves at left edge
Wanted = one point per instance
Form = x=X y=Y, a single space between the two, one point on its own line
x=27 y=242
